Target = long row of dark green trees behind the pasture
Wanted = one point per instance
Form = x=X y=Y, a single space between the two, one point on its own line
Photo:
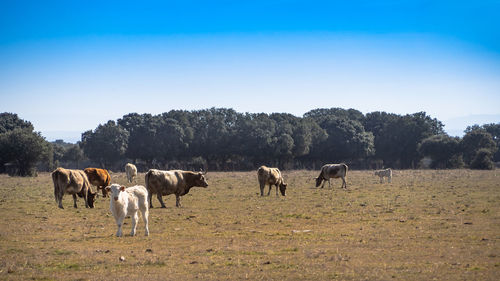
x=223 y=139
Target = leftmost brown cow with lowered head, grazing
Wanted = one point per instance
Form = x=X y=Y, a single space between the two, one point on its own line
x=73 y=182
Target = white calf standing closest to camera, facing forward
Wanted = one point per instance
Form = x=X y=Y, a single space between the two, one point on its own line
x=126 y=202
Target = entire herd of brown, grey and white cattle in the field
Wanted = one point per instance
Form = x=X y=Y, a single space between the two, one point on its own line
x=129 y=201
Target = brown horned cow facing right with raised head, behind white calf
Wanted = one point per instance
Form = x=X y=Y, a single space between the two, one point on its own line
x=172 y=182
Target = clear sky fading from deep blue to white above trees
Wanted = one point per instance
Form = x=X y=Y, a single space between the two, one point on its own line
x=68 y=66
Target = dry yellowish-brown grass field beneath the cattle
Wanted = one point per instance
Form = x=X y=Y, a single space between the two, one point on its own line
x=425 y=225
